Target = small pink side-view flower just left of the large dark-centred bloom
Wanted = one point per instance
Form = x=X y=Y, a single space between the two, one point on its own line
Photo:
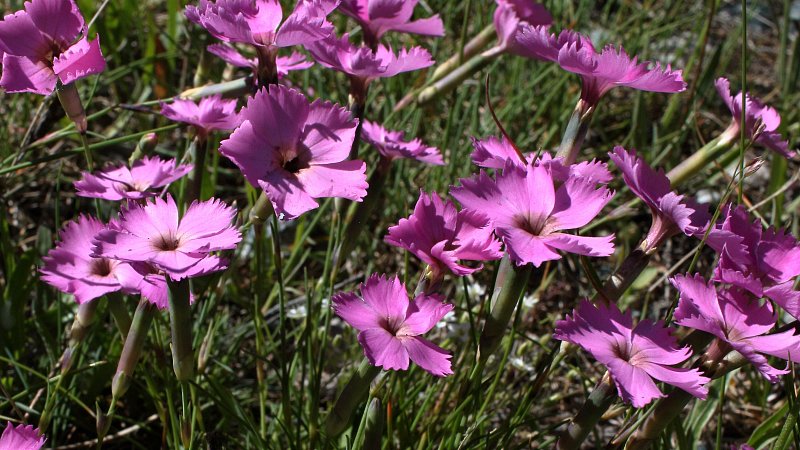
x=212 y=113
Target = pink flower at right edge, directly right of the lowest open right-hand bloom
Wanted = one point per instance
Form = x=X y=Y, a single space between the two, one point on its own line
x=736 y=319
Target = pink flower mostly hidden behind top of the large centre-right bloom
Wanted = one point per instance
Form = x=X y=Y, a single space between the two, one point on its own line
x=494 y=153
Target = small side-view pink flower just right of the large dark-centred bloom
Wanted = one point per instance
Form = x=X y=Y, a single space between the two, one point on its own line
x=392 y=145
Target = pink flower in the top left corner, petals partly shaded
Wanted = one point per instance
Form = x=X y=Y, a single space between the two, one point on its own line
x=42 y=47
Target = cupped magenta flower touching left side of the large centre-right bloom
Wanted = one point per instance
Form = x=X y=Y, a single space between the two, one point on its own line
x=440 y=235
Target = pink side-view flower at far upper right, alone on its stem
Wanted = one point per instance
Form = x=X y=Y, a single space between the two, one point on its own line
x=756 y=114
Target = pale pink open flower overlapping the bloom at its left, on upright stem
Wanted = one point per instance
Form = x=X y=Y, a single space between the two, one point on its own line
x=152 y=233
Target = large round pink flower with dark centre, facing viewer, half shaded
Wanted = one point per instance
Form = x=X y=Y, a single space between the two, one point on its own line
x=296 y=151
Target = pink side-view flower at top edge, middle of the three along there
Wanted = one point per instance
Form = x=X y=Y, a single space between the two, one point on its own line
x=377 y=17
